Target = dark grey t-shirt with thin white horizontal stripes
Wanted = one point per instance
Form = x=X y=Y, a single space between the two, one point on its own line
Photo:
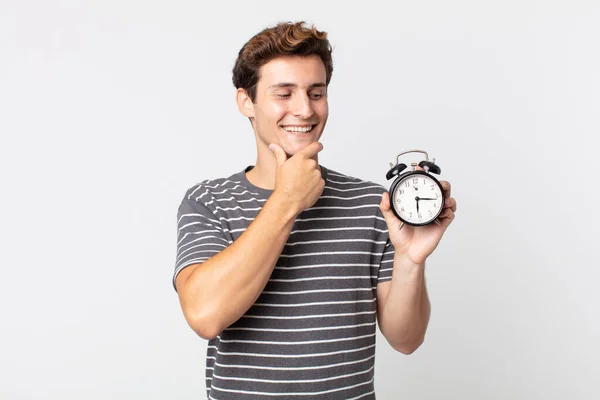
x=311 y=333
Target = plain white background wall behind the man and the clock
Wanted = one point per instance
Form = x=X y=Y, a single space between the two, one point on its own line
x=110 y=110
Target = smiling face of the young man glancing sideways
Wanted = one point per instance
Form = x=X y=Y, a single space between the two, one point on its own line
x=291 y=107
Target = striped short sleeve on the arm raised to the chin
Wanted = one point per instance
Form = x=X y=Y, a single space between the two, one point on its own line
x=199 y=235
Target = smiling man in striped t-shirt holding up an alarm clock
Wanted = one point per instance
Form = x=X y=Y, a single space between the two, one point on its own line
x=286 y=266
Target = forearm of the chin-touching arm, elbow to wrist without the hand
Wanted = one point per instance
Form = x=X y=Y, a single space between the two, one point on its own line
x=219 y=291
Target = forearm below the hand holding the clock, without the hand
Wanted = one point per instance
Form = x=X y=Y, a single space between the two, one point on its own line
x=405 y=313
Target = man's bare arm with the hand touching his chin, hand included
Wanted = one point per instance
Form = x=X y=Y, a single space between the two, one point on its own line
x=216 y=293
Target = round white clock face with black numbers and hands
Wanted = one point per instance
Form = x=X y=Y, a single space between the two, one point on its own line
x=417 y=198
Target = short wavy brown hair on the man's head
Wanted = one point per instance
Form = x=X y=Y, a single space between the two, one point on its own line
x=285 y=38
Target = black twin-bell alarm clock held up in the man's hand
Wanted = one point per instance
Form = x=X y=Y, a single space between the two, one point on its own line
x=416 y=196
